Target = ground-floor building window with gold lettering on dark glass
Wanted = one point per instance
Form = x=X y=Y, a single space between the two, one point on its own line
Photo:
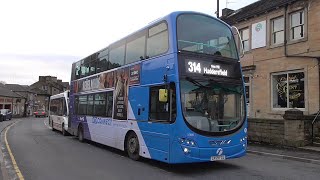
x=288 y=90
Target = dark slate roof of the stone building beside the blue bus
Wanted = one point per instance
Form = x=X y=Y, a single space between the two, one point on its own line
x=254 y=9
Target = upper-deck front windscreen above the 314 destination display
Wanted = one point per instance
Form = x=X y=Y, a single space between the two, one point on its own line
x=204 y=34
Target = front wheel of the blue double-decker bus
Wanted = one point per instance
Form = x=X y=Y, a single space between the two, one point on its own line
x=133 y=147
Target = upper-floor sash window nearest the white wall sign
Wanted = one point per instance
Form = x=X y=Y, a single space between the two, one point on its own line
x=277 y=30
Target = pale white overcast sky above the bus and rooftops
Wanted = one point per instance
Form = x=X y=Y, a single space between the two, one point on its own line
x=42 y=37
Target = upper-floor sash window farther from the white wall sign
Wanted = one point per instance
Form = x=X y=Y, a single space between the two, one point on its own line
x=297 y=25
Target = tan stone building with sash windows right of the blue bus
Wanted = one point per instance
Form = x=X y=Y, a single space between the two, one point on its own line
x=281 y=41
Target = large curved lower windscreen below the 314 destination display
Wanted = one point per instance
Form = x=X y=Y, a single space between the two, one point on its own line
x=212 y=107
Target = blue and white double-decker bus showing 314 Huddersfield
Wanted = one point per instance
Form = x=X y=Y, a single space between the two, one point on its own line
x=172 y=91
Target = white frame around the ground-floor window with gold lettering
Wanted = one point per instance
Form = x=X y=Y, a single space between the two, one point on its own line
x=288 y=101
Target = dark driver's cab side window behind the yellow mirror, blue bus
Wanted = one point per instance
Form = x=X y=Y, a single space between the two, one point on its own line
x=162 y=111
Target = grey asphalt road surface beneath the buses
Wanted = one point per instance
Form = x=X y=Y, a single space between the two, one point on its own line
x=43 y=154
